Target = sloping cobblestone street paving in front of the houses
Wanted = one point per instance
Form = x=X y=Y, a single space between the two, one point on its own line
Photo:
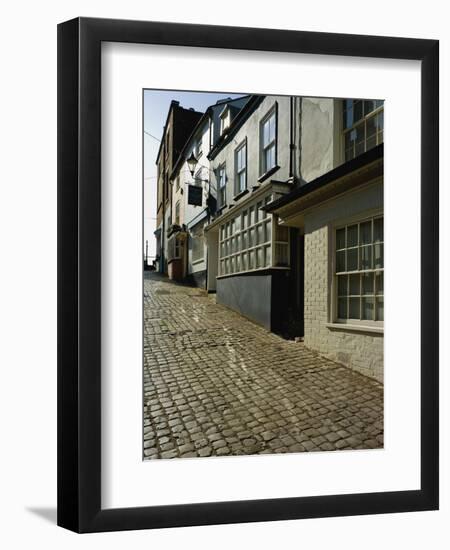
x=216 y=384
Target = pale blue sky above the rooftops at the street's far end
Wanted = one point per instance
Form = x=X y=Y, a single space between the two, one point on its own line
x=156 y=107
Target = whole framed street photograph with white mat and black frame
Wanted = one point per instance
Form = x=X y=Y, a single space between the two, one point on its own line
x=234 y=206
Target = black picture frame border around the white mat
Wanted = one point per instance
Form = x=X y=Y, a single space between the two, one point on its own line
x=79 y=274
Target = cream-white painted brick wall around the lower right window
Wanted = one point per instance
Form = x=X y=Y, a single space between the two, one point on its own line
x=360 y=351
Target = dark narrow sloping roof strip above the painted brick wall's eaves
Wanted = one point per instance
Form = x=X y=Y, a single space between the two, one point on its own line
x=359 y=162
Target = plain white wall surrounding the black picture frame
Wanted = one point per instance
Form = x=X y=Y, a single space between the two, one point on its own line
x=28 y=222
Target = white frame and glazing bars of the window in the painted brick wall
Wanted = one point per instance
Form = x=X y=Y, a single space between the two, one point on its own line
x=370 y=323
